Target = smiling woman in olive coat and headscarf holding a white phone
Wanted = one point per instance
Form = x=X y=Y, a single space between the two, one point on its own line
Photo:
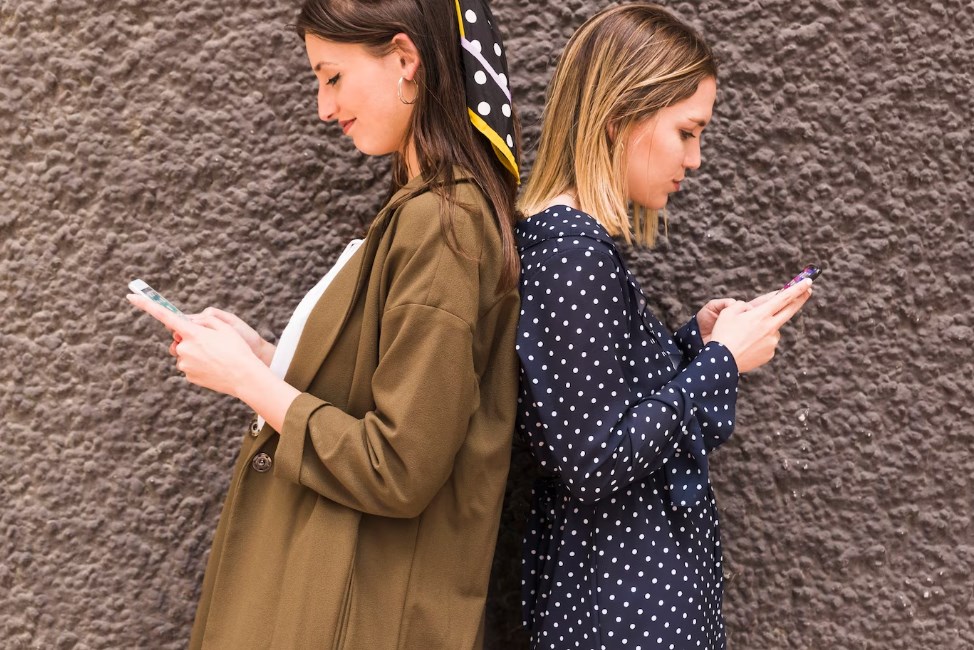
x=364 y=505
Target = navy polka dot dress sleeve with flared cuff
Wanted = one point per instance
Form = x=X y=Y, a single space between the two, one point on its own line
x=599 y=429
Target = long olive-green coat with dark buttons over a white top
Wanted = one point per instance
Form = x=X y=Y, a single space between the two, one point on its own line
x=375 y=525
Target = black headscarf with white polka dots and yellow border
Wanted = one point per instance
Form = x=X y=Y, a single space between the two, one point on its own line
x=485 y=76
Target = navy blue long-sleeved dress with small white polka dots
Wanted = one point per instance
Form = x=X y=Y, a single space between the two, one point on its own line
x=623 y=545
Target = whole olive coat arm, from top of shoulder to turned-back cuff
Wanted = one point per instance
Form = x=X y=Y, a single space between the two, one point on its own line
x=394 y=460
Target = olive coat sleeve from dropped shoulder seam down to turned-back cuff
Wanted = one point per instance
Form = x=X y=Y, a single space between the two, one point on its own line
x=393 y=459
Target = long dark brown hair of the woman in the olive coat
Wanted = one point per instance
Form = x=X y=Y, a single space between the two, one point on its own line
x=440 y=128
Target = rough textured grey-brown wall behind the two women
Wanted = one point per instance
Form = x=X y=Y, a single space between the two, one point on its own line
x=178 y=141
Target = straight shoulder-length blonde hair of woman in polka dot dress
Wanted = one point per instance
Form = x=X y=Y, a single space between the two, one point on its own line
x=621 y=67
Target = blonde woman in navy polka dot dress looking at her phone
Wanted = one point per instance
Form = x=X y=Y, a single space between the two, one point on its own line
x=623 y=546
